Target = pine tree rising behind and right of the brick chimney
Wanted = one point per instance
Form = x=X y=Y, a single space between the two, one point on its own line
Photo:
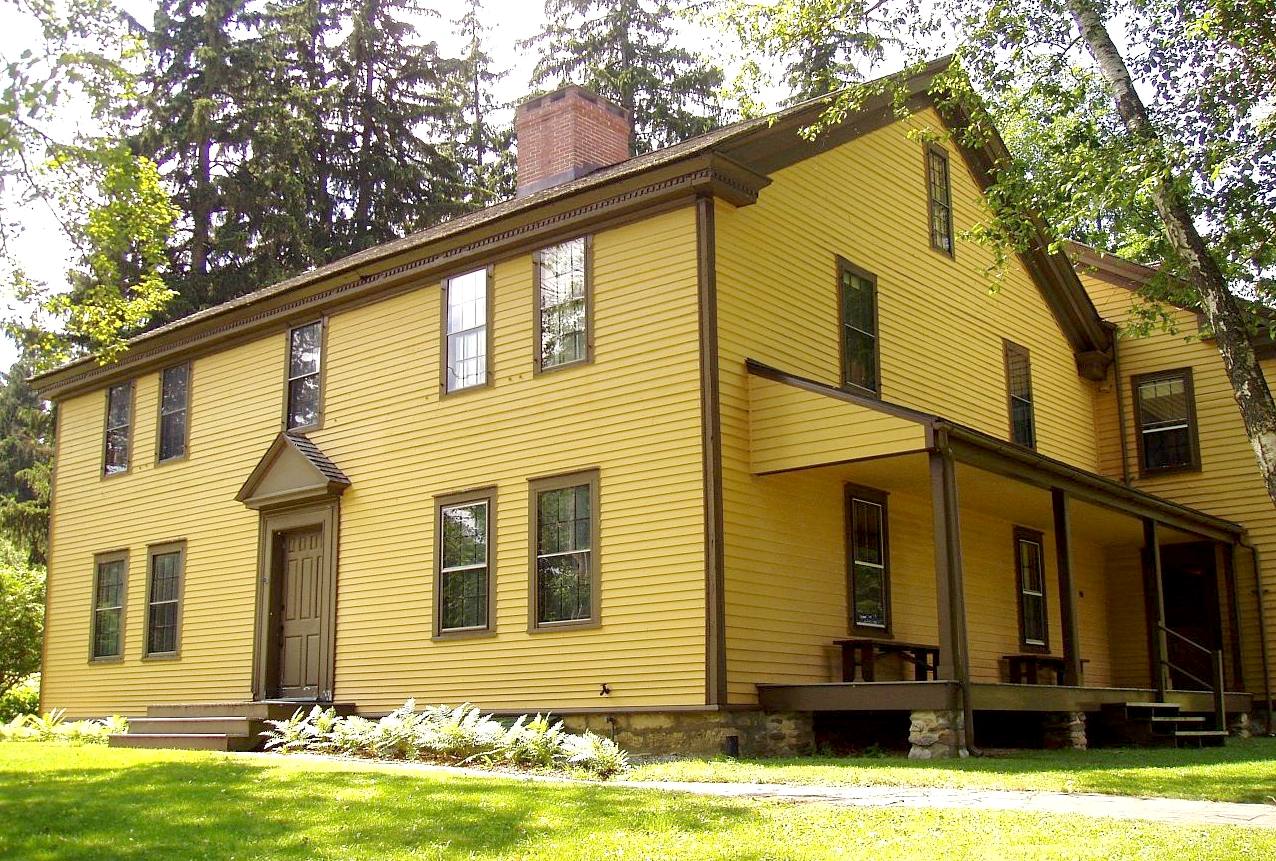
x=622 y=50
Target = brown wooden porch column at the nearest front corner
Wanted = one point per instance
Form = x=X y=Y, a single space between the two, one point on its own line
x=951 y=600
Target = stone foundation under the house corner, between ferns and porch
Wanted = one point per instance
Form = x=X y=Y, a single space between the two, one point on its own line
x=704 y=734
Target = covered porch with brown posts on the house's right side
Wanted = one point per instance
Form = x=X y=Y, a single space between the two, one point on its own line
x=1006 y=567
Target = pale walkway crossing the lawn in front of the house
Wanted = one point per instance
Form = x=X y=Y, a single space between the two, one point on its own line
x=1173 y=812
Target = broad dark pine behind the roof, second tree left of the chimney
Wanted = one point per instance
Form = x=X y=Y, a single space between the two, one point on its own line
x=395 y=108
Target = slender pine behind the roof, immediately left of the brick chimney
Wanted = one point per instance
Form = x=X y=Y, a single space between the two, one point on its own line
x=482 y=146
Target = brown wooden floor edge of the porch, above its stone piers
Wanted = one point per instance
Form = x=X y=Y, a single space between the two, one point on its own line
x=986 y=697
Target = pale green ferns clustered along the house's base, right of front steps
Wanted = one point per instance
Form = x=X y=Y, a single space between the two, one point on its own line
x=445 y=734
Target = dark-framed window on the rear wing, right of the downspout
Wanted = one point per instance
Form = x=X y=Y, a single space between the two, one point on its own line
x=1166 y=419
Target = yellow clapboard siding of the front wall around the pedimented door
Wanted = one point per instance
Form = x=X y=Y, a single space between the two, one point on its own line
x=634 y=414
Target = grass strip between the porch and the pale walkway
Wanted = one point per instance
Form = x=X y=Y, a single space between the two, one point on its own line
x=1243 y=771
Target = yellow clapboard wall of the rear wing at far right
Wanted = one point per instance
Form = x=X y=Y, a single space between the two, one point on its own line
x=1228 y=484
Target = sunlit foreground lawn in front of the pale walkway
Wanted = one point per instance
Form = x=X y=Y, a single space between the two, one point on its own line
x=62 y=803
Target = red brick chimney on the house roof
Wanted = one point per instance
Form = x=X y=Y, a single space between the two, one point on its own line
x=567 y=135
